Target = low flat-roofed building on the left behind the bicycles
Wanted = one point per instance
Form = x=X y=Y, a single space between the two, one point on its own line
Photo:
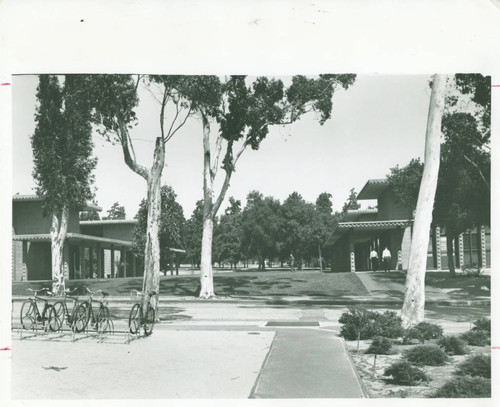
x=92 y=249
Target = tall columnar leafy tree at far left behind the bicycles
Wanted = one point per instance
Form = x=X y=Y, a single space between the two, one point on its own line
x=62 y=153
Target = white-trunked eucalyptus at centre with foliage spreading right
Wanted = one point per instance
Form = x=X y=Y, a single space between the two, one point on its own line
x=246 y=111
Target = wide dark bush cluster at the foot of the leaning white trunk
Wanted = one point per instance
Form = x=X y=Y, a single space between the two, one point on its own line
x=370 y=324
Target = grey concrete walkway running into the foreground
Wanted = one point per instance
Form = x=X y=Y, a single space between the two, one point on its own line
x=307 y=364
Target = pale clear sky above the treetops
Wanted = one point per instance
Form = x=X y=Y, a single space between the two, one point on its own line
x=376 y=124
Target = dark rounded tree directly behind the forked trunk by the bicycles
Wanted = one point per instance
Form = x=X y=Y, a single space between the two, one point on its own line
x=171 y=228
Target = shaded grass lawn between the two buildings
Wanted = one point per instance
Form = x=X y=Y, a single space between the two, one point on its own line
x=238 y=284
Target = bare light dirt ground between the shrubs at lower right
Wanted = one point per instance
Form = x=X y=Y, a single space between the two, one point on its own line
x=379 y=386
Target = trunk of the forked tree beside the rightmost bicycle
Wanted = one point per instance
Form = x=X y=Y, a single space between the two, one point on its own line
x=151 y=281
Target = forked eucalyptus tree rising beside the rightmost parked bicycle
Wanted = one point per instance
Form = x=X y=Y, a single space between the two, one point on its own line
x=179 y=98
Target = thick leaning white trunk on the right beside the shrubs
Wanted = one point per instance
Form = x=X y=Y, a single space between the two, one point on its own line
x=414 y=300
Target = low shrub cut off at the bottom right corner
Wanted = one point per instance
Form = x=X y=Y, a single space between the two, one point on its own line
x=465 y=387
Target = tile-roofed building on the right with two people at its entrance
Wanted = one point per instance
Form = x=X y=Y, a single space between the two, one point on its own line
x=390 y=225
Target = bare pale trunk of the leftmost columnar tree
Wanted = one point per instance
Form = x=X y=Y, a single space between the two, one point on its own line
x=58 y=232
